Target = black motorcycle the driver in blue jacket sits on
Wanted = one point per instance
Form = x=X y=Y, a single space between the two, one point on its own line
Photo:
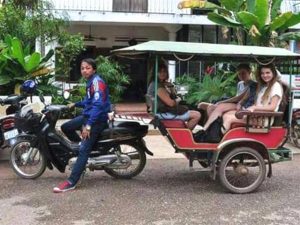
x=120 y=150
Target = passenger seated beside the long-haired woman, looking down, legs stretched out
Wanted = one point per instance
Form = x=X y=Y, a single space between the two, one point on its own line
x=244 y=98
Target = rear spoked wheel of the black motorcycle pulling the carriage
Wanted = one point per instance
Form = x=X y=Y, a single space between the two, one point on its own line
x=138 y=161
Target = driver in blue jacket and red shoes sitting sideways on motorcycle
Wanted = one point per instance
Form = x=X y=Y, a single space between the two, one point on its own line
x=92 y=122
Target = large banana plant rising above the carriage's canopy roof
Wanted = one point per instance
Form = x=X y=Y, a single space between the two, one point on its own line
x=260 y=19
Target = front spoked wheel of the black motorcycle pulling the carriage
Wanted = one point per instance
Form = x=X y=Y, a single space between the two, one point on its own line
x=27 y=162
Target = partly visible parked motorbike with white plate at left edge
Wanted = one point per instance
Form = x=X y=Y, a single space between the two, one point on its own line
x=8 y=131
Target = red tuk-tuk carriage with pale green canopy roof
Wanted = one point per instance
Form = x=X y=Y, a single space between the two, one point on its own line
x=244 y=156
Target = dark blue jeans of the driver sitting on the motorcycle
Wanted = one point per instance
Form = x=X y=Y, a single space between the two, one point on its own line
x=85 y=146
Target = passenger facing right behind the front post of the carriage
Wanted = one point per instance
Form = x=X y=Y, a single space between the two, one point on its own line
x=166 y=100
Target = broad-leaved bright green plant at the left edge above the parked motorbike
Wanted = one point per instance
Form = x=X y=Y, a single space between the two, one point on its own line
x=18 y=64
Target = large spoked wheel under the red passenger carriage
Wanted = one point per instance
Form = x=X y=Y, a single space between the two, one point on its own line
x=242 y=170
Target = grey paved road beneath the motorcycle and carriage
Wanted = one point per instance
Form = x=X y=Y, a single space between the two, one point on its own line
x=165 y=193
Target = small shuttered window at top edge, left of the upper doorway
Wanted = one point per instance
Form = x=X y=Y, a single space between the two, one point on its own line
x=130 y=6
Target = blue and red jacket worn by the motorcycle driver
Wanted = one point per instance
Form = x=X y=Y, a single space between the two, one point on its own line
x=96 y=103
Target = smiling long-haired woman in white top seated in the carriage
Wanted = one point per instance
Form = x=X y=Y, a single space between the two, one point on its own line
x=269 y=94
